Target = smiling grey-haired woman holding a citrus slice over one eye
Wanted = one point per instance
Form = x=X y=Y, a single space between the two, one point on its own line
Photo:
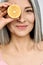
x=19 y=47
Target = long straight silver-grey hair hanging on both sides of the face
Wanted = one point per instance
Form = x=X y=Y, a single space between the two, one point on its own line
x=4 y=36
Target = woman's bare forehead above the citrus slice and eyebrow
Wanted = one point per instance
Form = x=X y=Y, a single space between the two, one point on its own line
x=20 y=2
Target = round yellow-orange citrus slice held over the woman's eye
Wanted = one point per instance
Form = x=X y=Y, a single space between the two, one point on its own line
x=14 y=11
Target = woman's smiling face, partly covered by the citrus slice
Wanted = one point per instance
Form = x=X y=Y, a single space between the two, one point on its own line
x=24 y=24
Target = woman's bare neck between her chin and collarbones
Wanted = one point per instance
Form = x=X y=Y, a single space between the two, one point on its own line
x=21 y=43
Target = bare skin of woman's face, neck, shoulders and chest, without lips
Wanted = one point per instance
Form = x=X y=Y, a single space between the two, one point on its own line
x=22 y=50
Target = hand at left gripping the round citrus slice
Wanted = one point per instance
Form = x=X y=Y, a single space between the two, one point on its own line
x=3 y=11
